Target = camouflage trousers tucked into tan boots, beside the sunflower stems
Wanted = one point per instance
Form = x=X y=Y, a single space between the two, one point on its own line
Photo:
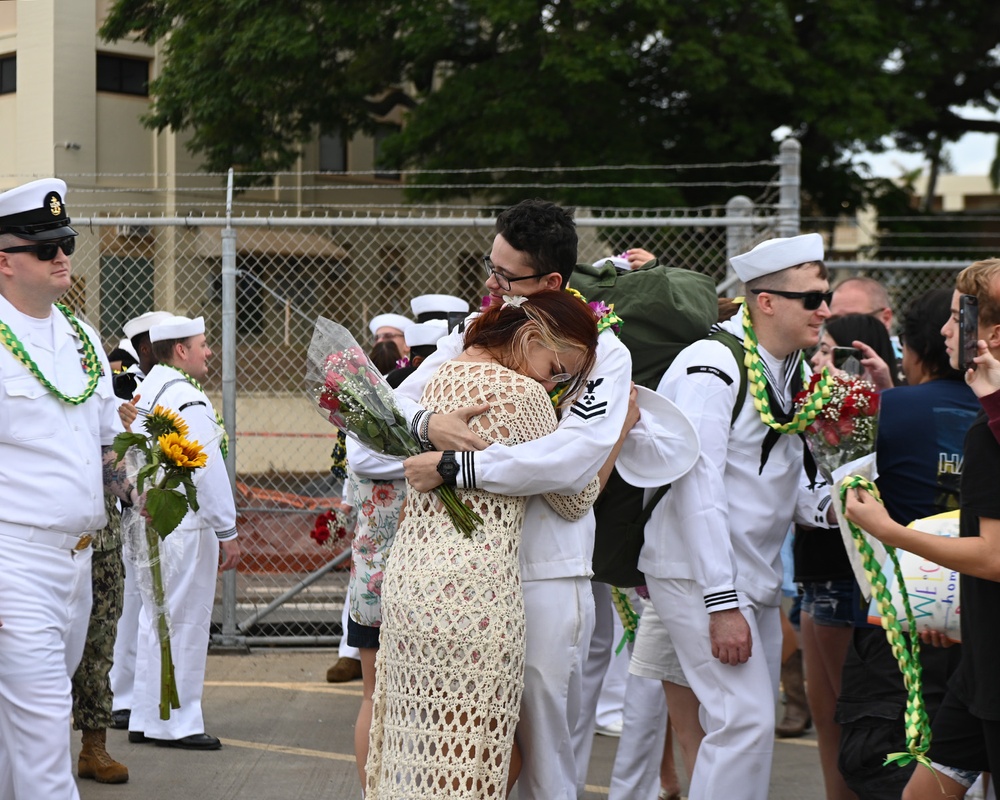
x=91 y=686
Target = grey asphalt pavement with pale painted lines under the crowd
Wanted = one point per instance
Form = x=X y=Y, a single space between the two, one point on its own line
x=287 y=733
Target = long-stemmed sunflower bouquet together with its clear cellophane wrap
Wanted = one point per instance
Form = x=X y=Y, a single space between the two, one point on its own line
x=160 y=462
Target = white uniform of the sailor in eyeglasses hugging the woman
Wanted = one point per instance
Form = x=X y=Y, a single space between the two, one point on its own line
x=555 y=553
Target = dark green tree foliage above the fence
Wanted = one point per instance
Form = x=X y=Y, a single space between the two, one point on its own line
x=500 y=84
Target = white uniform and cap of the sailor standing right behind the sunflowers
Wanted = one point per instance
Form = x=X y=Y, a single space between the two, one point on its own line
x=190 y=556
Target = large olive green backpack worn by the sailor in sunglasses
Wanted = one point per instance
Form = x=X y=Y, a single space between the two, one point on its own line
x=664 y=309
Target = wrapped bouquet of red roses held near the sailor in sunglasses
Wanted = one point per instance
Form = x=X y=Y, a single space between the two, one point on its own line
x=842 y=442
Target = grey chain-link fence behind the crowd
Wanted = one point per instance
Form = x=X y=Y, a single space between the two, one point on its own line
x=261 y=281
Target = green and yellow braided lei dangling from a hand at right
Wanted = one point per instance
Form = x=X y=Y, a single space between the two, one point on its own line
x=918 y=734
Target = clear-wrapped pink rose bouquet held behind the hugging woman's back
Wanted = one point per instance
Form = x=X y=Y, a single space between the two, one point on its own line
x=354 y=397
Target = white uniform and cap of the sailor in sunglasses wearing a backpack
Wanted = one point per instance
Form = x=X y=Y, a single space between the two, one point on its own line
x=713 y=543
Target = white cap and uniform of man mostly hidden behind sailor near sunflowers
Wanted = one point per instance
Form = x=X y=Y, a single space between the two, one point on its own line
x=122 y=674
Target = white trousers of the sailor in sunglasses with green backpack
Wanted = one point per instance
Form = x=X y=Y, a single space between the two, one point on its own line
x=737 y=702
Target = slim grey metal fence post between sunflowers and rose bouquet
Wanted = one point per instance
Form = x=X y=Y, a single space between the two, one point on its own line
x=230 y=637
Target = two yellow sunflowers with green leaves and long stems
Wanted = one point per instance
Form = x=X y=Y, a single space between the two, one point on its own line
x=164 y=459
